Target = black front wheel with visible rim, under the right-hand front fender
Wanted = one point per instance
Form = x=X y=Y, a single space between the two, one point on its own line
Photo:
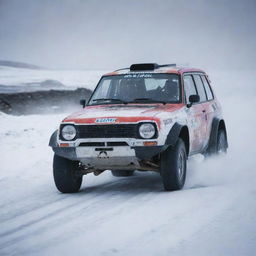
x=173 y=166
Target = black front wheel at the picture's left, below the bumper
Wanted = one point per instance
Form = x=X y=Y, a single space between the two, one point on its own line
x=64 y=175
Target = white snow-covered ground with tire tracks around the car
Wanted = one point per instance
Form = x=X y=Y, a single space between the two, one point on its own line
x=215 y=214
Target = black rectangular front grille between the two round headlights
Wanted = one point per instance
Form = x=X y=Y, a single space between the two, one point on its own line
x=107 y=131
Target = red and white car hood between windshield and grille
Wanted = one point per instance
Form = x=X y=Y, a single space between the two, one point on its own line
x=122 y=113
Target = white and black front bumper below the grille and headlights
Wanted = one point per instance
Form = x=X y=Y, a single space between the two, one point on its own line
x=103 y=157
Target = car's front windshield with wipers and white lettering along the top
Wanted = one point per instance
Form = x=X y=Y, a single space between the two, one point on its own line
x=137 y=87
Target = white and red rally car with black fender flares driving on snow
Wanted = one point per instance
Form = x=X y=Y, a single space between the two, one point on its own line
x=148 y=117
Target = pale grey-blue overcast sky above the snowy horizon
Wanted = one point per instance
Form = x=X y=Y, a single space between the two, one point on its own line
x=115 y=33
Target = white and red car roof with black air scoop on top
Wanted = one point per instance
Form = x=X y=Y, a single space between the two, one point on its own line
x=154 y=68
